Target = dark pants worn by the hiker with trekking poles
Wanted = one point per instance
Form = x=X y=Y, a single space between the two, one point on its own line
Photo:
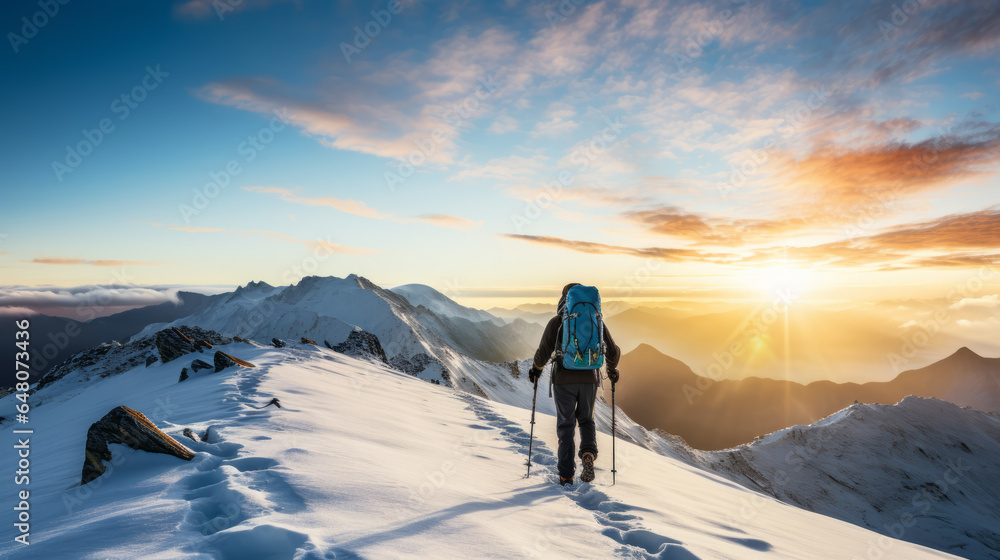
x=575 y=403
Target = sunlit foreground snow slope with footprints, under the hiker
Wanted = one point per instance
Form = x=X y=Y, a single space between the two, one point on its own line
x=365 y=462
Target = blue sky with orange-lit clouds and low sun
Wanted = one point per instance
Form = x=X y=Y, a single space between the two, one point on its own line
x=498 y=150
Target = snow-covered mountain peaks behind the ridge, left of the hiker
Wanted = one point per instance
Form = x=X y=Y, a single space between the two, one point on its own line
x=328 y=309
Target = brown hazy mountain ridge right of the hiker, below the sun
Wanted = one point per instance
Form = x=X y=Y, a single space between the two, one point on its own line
x=658 y=391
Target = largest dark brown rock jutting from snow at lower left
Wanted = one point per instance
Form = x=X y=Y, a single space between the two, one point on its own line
x=129 y=427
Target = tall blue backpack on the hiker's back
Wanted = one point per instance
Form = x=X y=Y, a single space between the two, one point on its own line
x=582 y=345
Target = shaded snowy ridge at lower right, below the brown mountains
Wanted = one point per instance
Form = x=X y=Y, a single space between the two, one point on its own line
x=923 y=470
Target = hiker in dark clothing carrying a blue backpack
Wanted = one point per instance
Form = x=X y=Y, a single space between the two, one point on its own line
x=575 y=387
